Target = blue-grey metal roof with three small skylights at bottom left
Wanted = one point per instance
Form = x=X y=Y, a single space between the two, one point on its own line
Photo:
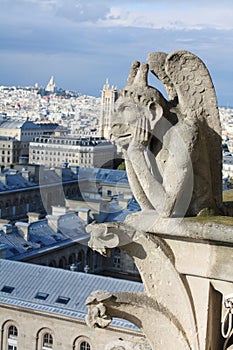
x=28 y=279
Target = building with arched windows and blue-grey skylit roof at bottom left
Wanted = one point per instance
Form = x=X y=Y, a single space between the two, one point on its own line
x=50 y=314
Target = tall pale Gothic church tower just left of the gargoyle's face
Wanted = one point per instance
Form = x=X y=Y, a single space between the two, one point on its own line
x=108 y=97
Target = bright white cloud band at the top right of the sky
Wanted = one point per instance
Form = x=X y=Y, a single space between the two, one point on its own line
x=191 y=16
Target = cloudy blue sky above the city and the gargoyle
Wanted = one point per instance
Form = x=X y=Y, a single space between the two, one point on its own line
x=84 y=42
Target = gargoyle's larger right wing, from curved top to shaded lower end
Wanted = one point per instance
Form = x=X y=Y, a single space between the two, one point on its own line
x=197 y=102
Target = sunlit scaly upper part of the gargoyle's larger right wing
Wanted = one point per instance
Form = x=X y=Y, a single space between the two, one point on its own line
x=194 y=87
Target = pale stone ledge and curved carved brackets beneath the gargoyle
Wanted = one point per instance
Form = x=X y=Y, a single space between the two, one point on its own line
x=186 y=270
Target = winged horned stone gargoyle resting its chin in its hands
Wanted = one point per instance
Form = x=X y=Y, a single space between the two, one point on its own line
x=172 y=148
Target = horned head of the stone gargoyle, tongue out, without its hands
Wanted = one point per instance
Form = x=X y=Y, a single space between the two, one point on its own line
x=136 y=101
